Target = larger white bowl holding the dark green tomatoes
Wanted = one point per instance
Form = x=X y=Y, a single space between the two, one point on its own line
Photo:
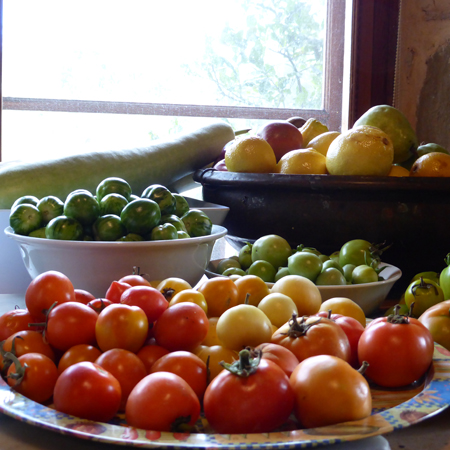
x=94 y=265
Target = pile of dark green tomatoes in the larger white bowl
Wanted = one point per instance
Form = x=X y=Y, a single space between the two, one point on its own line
x=113 y=213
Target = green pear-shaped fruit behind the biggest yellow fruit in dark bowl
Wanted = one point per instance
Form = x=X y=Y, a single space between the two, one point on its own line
x=395 y=124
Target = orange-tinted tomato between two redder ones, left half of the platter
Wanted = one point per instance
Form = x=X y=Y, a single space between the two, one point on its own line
x=121 y=326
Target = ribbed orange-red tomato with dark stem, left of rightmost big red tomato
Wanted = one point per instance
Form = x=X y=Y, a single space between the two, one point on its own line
x=311 y=336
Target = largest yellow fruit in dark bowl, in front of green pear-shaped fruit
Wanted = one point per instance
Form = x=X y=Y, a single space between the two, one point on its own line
x=363 y=150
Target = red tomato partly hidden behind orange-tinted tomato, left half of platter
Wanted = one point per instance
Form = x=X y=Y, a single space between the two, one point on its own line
x=152 y=302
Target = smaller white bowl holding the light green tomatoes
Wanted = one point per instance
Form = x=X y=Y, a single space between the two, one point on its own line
x=369 y=295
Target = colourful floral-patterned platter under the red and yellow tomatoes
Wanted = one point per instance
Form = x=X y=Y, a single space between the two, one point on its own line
x=393 y=409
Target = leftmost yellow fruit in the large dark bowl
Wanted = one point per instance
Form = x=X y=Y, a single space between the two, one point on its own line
x=250 y=154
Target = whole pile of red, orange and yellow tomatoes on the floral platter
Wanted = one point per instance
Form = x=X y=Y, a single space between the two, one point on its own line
x=165 y=355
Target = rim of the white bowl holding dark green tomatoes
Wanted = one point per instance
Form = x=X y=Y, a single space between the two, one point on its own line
x=217 y=232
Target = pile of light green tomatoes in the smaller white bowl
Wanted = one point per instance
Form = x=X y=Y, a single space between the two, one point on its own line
x=271 y=257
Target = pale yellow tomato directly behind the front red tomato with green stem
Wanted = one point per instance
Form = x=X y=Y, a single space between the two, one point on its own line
x=242 y=326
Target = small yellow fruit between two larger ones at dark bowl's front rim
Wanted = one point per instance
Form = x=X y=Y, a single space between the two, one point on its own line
x=304 y=161
